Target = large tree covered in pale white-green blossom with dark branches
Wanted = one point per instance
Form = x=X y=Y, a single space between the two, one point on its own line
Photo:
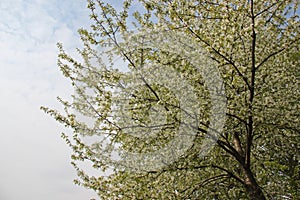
x=162 y=95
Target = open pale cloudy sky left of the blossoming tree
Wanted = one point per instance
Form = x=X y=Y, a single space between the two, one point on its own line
x=35 y=161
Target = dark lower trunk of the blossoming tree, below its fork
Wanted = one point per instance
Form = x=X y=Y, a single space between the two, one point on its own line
x=253 y=189
